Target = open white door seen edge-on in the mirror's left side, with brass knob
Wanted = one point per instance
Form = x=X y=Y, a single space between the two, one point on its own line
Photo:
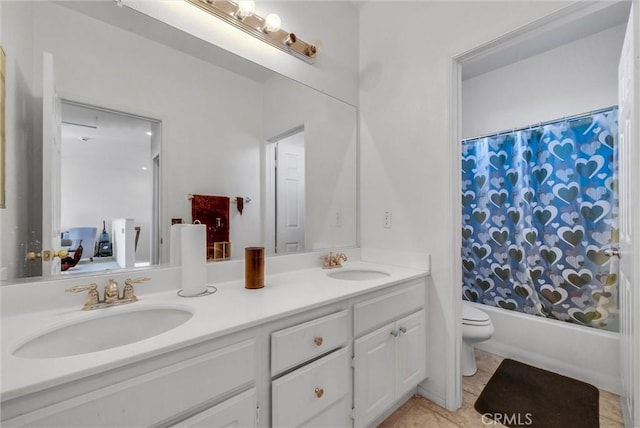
x=51 y=159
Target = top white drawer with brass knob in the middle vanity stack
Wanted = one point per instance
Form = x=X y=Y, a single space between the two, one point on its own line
x=297 y=344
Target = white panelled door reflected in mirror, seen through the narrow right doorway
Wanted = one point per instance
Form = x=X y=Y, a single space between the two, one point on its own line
x=290 y=194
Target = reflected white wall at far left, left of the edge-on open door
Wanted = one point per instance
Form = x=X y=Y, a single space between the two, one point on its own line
x=16 y=220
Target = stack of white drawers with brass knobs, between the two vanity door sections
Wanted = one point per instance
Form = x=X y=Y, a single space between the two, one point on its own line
x=315 y=393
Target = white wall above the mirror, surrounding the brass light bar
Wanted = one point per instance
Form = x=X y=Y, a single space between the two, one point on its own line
x=333 y=26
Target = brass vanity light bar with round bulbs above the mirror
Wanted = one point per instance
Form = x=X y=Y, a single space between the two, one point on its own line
x=242 y=15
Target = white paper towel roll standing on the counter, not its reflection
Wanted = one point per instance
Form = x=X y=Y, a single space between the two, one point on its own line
x=193 y=243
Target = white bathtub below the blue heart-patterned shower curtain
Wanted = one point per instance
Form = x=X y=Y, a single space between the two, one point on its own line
x=579 y=352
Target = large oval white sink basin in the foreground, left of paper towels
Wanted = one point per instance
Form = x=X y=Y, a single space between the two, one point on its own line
x=103 y=332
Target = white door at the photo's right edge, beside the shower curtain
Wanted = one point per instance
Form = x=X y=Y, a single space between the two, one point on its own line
x=629 y=180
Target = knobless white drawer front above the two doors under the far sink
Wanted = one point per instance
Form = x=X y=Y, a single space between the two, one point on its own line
x=373 y=313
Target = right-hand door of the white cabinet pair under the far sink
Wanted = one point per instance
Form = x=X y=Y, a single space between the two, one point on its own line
x=411 y=352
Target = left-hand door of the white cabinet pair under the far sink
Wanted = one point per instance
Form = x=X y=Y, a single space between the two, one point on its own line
x=374 y=376
